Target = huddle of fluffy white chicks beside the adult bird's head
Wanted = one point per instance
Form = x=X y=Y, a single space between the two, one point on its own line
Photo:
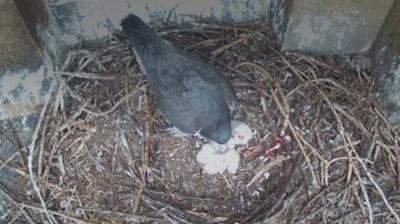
x=216 y=158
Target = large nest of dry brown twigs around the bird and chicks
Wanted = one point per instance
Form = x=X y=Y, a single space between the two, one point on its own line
x=102 y=153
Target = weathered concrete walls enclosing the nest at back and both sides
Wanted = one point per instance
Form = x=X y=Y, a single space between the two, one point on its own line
x=316 y=26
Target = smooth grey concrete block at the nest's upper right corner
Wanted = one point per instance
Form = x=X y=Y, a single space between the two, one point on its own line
x=334 y=26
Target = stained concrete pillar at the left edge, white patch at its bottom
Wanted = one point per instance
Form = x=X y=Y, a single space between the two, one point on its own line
x=22 y=69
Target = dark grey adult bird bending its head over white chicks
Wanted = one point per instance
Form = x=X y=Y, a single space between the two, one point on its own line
x=191 y=94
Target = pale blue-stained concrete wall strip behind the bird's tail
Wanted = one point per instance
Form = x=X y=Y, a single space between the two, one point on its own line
x=92 y=19
